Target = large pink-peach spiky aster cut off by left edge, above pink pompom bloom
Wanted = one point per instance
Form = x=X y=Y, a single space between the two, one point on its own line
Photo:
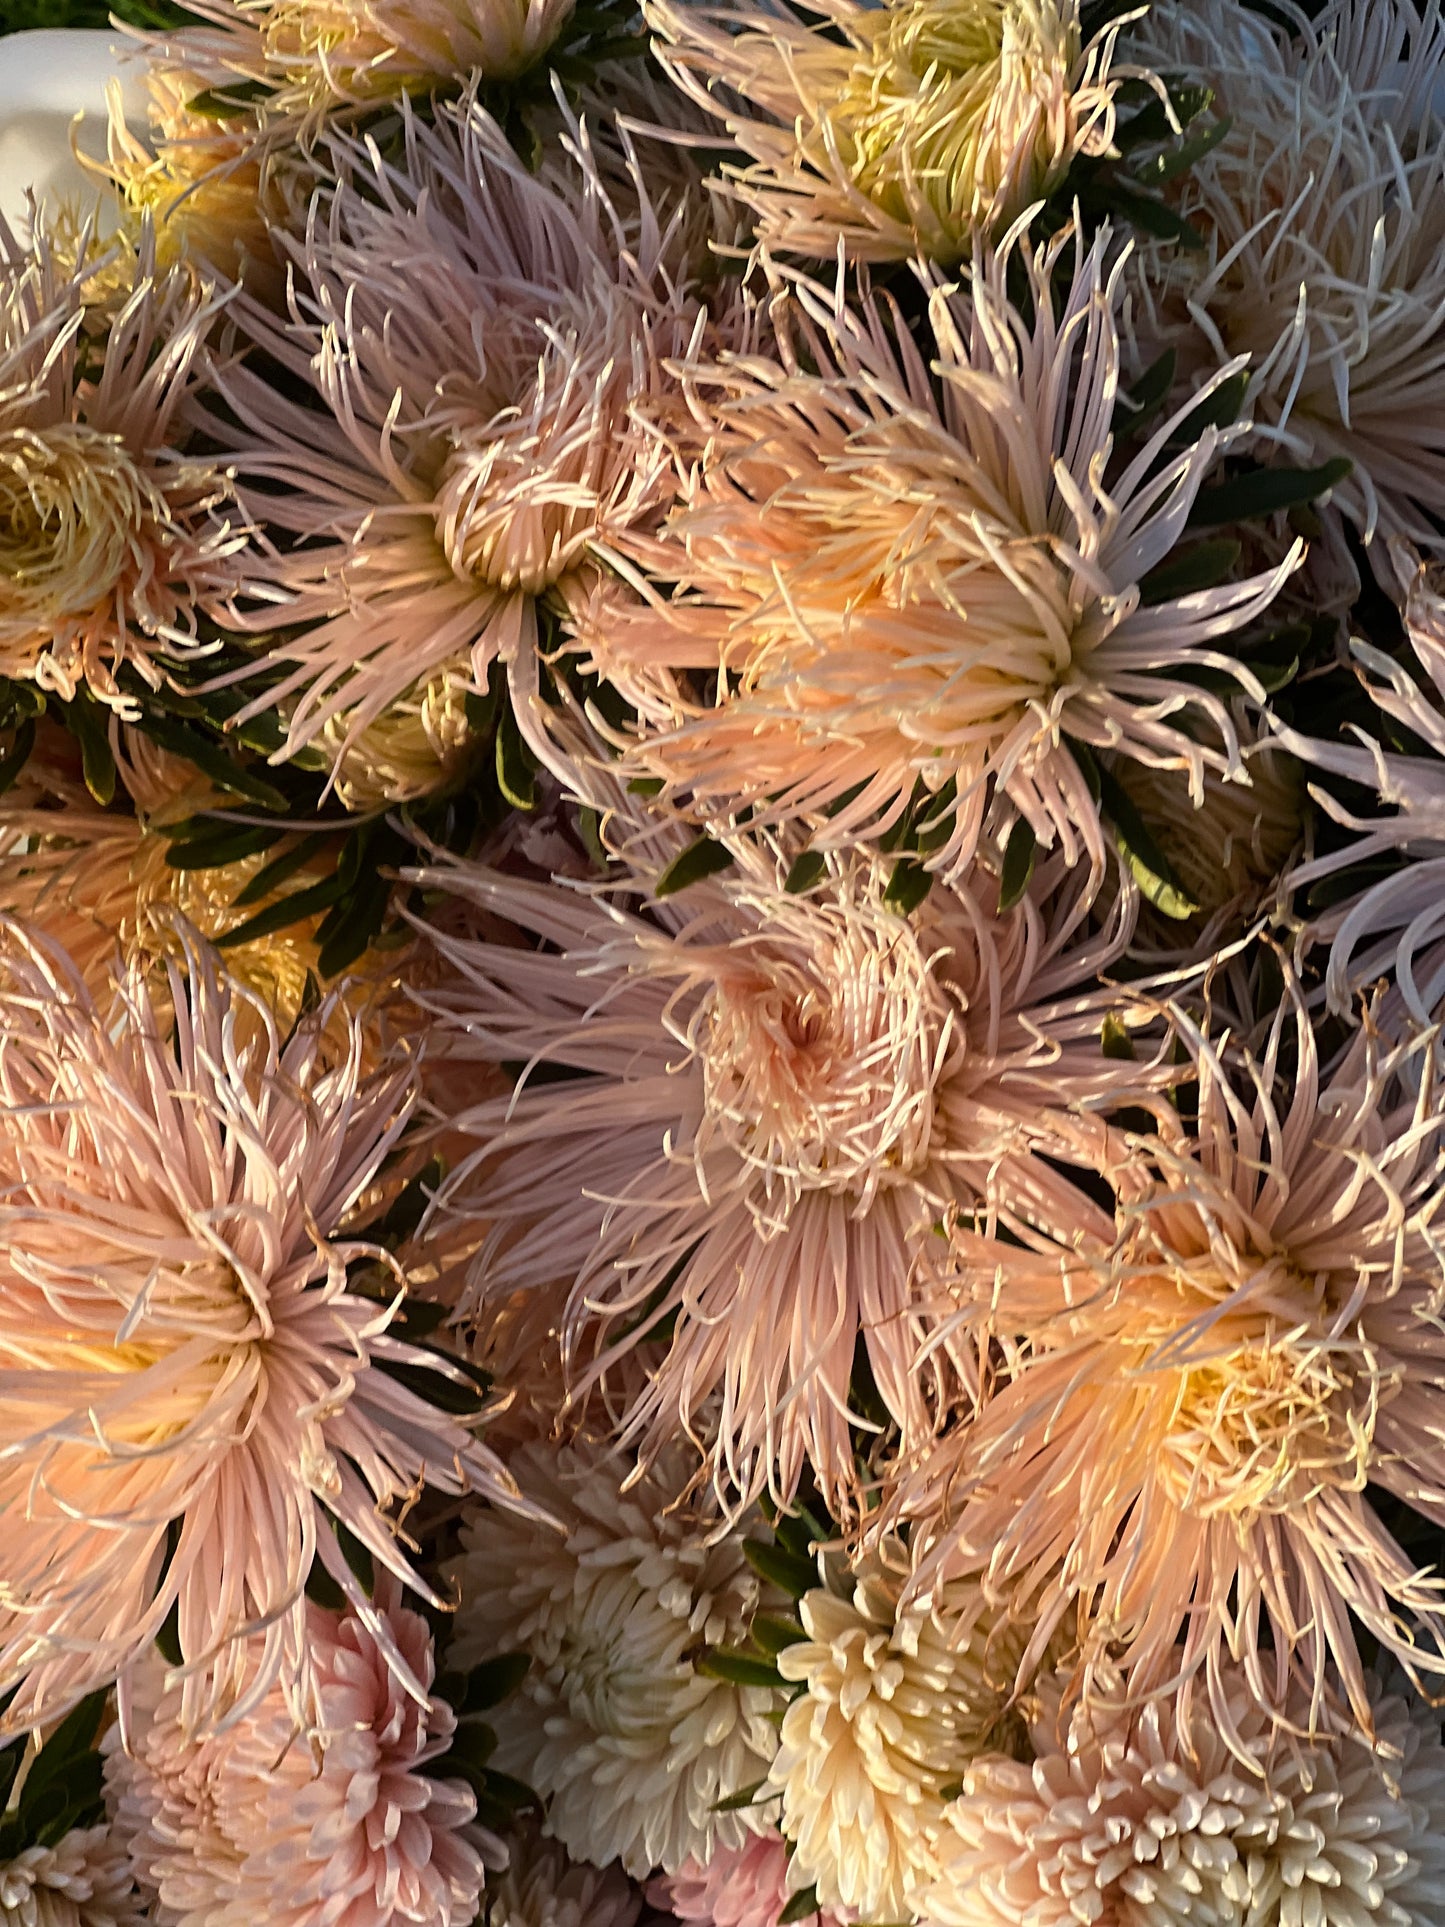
x=190 y=1392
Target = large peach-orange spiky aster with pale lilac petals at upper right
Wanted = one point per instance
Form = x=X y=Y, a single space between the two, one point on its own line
x=918 y=575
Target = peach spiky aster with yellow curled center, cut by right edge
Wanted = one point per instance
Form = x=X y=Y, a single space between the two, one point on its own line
x=1195 y=1394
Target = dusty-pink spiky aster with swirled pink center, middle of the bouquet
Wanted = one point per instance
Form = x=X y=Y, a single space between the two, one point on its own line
x=775 y=1099
